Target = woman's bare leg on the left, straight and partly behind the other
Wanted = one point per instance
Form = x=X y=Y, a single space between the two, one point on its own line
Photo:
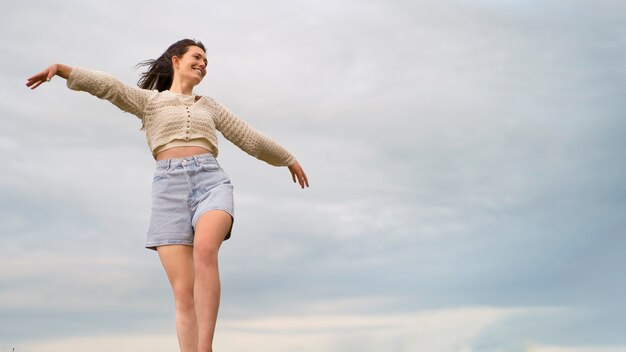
x=177 y=261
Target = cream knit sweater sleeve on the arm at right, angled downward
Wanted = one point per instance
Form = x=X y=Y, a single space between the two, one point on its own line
x=250 y=140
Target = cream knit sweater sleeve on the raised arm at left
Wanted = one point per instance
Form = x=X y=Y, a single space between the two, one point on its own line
x=104 y=86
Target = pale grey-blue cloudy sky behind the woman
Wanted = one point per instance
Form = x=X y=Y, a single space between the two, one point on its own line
x=465 y=161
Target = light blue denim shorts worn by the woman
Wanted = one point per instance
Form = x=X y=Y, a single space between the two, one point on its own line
x=183 y=190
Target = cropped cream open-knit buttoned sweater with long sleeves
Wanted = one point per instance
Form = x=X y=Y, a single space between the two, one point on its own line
x=166 y=119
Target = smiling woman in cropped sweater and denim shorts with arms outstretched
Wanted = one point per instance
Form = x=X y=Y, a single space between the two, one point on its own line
x=192 y=201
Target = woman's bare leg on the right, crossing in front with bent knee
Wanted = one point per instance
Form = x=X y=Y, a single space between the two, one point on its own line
x=211 y=229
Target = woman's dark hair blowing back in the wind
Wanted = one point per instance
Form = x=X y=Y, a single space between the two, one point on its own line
x=160 y=72
